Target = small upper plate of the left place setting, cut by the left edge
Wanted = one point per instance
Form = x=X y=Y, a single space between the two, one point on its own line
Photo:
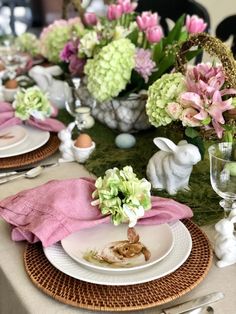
x=12 y=136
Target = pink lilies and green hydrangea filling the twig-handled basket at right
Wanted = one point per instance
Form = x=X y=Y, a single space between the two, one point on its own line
x=197 y=99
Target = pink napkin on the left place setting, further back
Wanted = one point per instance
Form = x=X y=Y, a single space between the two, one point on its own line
x=8 y=118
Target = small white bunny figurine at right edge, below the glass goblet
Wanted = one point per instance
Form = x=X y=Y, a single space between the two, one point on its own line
x=225 y=242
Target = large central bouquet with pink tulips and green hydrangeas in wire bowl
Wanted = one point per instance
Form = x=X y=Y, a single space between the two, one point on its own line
x=120 y=53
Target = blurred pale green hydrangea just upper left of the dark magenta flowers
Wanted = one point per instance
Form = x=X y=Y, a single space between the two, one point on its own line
x=53 y=41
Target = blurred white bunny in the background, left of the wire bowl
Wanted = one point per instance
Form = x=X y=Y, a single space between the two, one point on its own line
x=59 y=91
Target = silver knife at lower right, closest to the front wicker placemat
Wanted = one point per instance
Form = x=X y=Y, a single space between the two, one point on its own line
x=194 y=304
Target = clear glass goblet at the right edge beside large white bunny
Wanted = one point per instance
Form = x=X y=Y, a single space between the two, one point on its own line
x=223 y=173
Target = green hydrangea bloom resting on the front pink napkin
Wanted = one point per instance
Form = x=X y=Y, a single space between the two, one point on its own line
x=122 y=195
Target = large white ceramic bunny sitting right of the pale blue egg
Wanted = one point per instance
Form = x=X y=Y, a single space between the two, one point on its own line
x=170 y=168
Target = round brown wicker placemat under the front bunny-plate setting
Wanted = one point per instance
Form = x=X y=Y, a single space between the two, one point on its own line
x=121 y=298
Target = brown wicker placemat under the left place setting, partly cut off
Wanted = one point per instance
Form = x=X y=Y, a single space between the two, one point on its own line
x=32 y=157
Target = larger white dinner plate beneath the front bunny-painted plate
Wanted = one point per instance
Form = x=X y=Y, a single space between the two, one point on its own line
x=178 y=255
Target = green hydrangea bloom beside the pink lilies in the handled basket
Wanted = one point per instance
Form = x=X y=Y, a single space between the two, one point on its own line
x=165 y=90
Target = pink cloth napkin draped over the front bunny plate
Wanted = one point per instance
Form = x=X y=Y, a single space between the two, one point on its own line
x=58 y=208
